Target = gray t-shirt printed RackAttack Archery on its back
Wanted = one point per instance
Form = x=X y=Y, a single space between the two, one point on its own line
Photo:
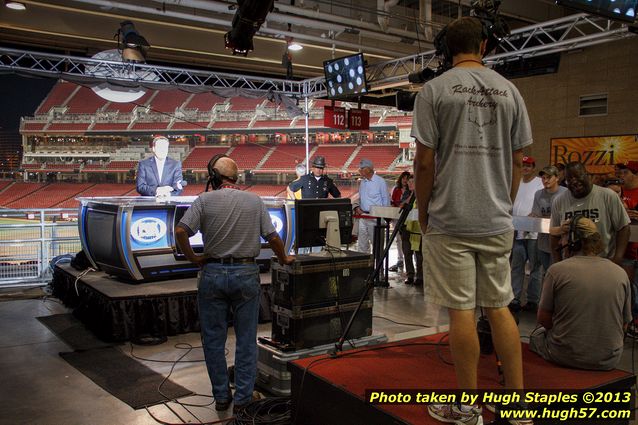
x=474 y=119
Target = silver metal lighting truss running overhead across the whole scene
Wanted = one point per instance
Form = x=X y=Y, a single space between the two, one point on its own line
x=571 y=32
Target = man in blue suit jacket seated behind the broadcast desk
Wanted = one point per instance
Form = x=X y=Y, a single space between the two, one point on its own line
x=159 y=175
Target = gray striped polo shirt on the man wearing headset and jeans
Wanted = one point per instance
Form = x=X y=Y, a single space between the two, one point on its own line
x=231 y=222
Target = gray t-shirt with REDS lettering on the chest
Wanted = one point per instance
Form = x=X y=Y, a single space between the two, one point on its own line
x=602 y=206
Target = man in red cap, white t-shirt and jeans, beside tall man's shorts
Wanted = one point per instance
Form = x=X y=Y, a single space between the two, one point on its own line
x=525 y=248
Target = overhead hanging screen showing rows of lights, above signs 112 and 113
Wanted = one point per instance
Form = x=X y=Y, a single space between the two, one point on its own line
x=345 y=77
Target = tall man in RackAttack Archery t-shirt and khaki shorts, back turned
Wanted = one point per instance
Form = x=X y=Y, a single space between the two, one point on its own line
x=471 y=125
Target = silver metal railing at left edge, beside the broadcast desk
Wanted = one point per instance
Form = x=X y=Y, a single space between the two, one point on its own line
x=30 y=239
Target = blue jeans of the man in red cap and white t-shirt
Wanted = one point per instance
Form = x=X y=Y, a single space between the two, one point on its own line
x=522 y=251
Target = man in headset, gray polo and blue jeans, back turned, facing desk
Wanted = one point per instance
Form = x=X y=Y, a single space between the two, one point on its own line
x=231 y=222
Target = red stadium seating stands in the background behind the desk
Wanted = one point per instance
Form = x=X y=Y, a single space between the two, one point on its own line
x=71 y=111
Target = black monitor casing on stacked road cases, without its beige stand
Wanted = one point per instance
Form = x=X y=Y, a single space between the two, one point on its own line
x=308 y=231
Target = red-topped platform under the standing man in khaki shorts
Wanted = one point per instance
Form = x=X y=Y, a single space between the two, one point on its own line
x=329 y=390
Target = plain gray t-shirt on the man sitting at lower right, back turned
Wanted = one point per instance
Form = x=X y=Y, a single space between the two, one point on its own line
x=590 y=301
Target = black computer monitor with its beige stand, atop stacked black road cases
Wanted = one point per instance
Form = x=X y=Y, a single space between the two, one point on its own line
x=323 y=222
